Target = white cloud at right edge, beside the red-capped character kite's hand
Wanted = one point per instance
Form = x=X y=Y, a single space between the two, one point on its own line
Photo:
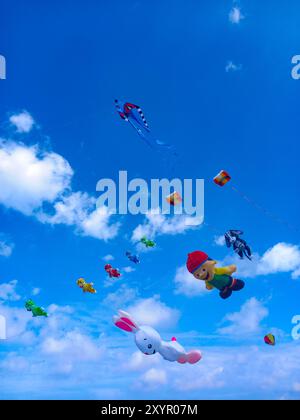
x=280 y=258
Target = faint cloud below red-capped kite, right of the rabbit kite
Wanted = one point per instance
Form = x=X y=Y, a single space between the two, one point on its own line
x=247 y=320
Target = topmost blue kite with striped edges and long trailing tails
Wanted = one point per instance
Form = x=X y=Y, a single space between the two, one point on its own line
x=134 y=115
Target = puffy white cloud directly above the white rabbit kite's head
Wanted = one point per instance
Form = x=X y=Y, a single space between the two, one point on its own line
x=153 y=312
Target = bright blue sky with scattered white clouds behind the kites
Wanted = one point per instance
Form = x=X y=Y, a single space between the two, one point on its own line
x=214 y=79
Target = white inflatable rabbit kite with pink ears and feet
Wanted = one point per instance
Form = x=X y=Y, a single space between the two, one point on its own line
x=149 y=341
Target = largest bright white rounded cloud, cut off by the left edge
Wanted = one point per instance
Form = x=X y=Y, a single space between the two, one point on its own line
x=30 y=177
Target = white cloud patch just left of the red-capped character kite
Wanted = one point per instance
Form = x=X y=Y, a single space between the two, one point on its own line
x=187 y=285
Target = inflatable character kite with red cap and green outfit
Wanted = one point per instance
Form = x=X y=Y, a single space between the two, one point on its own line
x=203 y=268
